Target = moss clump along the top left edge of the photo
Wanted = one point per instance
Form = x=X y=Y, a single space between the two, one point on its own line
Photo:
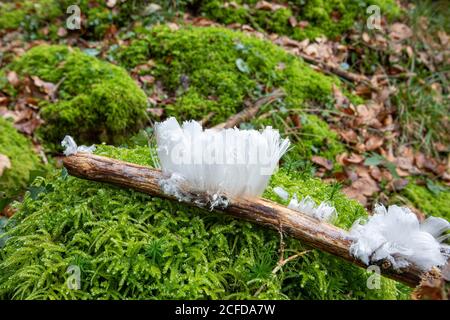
x=43 y=18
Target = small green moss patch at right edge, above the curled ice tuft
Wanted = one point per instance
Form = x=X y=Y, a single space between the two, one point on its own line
x=435 y=204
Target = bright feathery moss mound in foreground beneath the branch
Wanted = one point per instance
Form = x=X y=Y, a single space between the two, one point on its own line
x=130 y=245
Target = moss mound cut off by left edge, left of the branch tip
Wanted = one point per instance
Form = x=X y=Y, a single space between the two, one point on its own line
x=23 y=160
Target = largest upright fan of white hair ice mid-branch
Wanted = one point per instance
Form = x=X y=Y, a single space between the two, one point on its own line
x=232 y=161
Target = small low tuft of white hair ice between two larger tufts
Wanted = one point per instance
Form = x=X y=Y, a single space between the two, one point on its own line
x=323 y=212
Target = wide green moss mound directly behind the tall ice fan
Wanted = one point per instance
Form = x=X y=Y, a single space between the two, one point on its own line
x=215 y=69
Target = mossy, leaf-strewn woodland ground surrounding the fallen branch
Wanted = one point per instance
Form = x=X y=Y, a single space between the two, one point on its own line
x=367 y=112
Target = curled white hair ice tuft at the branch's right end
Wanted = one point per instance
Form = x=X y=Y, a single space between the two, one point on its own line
x=397 y=235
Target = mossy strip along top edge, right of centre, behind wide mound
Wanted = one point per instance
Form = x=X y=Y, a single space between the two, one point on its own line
x=299 y=19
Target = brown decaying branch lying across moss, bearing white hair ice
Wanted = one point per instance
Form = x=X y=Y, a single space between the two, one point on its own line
x=310 y=231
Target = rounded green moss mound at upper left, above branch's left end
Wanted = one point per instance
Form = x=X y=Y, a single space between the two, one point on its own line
x=97 y=101
